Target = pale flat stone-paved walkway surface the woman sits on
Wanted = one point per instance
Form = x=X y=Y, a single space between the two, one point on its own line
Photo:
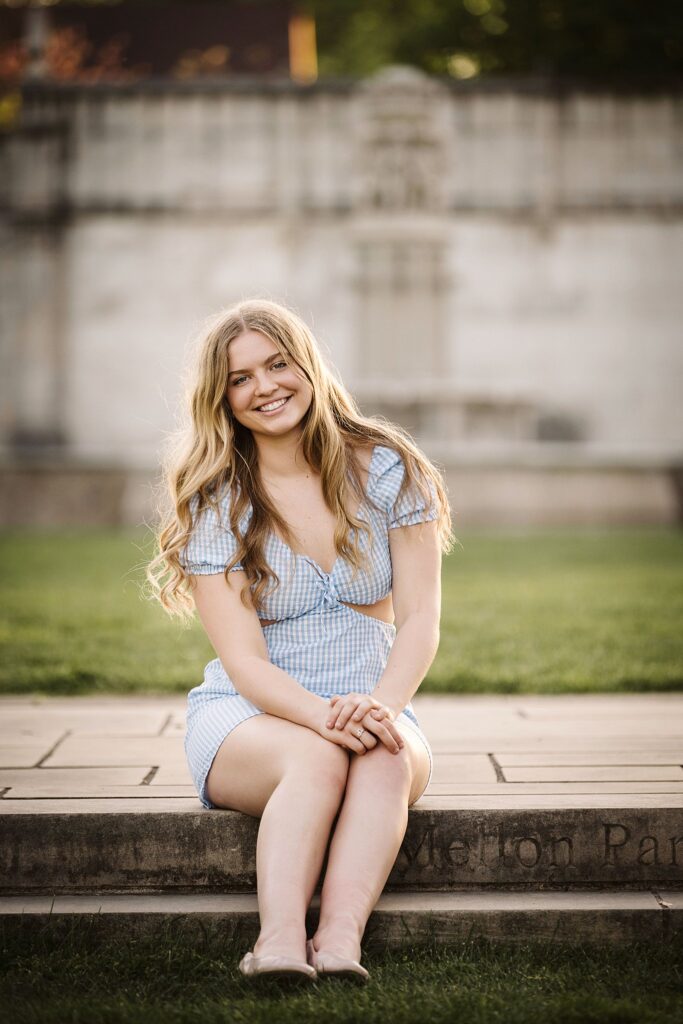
x=490 y=752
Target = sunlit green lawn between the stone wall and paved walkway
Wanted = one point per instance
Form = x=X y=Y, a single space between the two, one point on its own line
x=543 y=612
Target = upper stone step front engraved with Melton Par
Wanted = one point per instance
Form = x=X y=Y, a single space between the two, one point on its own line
x=87 y=846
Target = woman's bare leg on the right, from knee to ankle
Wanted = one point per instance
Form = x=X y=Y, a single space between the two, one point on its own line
x=367 y=839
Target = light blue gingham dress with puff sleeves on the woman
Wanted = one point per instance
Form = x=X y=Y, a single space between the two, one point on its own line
x=321 y=643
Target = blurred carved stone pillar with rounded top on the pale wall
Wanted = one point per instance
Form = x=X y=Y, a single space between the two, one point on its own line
x=399 y=236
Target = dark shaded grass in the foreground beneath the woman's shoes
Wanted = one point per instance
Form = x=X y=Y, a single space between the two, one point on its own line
x=168 y=982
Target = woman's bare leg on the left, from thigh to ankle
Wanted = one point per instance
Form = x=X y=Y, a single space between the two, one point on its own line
x=294 y=781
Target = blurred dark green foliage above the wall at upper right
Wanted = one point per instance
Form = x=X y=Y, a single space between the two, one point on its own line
x=603 y=40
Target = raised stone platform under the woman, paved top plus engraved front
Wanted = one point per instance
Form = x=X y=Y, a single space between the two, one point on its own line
x=515 y=801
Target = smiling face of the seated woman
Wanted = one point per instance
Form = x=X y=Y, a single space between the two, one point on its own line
x=266 y=392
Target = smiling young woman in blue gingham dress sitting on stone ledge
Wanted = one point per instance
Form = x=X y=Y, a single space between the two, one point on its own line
x=310 y=540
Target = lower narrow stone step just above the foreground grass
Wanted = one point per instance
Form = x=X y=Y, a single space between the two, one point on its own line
x=399 y=919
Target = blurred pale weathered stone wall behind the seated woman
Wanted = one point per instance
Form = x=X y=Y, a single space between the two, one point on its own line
x=497 y=268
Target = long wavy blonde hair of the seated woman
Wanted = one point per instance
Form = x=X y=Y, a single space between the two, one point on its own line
x=216 y=453
